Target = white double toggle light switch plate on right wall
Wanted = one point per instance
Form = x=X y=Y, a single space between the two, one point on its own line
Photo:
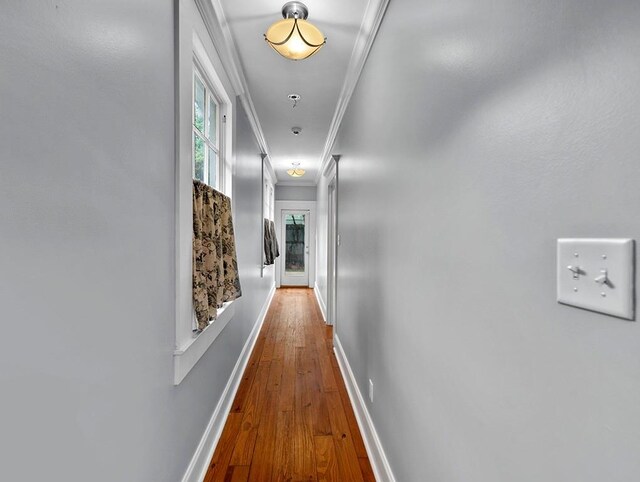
x=597 y=275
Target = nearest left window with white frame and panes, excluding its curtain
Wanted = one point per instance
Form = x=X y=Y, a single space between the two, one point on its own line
x=205 y=152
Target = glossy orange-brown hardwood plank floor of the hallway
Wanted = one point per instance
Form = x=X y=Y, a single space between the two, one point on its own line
x=291 y=419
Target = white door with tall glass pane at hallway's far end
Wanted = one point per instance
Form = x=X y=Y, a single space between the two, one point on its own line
x=295 y=247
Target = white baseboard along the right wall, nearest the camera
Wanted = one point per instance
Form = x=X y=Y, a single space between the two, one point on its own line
x=377 y=457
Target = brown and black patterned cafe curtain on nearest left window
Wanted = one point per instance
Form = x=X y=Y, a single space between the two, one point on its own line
x=215 y=266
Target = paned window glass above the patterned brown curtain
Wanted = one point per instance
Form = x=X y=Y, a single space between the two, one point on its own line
x=206 y=135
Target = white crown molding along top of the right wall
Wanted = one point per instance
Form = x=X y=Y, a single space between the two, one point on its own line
x=367 y=34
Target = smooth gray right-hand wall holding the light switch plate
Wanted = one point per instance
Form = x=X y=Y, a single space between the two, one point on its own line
x=479 y=133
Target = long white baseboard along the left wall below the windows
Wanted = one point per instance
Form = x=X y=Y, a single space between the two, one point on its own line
x=200 y=461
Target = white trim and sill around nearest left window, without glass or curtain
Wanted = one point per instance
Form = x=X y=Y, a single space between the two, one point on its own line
x=190 y=346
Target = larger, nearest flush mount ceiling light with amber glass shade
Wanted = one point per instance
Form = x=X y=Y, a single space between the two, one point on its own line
x=294 y=37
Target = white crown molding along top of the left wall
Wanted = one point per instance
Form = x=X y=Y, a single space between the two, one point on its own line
x=218 y=27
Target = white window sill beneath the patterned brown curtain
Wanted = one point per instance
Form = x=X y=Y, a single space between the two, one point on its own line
x=187 y=355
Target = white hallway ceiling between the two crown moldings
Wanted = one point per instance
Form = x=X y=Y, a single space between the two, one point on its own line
x=319 y=79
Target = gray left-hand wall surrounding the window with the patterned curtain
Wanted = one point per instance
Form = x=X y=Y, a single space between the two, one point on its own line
x=87 y=248
